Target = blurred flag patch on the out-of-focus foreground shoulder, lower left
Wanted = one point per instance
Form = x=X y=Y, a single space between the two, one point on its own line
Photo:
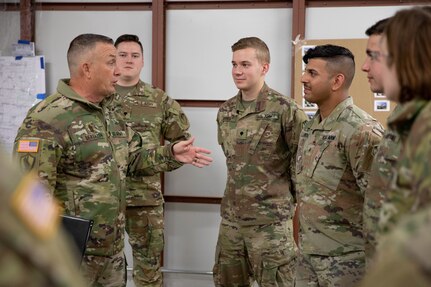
x=36 y=207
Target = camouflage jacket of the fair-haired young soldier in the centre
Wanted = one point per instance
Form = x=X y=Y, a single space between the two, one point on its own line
x=260 y=144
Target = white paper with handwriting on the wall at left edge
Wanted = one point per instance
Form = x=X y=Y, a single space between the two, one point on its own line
x=22 y=79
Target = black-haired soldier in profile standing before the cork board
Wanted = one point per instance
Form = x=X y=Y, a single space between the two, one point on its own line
x=334 y=157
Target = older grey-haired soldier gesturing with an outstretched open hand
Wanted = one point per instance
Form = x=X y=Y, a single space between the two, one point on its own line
x=78 y=147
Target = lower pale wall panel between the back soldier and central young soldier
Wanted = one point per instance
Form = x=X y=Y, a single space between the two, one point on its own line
x=191 y=235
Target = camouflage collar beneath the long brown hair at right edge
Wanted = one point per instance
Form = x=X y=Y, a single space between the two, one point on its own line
x=405 y=114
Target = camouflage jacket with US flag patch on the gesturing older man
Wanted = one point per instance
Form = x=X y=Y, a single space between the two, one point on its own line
x=80 y=152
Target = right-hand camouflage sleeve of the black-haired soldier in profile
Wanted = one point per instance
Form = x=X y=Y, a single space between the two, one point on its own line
x=361 y=151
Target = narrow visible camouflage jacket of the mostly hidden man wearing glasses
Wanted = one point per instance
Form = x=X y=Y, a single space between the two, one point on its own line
x=379 y=183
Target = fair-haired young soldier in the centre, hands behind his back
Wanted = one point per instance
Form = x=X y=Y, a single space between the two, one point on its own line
x=258 y=130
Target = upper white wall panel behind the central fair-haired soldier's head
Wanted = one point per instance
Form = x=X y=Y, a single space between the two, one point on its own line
x=198 y=49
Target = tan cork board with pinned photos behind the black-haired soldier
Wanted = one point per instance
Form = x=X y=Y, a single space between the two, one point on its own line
x=376 y=105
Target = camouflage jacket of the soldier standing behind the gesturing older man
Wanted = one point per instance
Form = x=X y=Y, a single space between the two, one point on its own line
x=154 y=116
